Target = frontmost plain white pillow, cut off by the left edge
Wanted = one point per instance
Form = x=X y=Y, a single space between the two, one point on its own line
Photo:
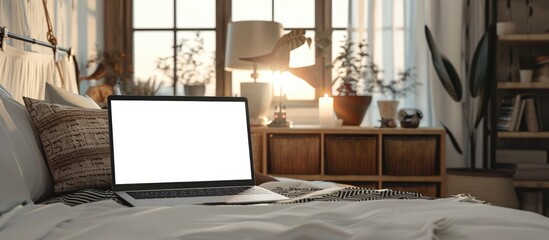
x=13 y=190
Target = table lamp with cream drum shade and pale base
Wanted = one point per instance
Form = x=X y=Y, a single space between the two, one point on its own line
x=247 y=39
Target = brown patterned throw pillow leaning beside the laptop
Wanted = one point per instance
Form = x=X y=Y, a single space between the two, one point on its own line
x=75 y=142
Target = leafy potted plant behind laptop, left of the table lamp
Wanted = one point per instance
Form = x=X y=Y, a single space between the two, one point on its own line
x=192 y=70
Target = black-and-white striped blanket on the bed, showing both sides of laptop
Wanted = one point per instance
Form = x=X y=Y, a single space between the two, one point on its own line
x=351 y=194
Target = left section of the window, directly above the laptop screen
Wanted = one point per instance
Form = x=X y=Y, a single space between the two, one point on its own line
x=168 y=32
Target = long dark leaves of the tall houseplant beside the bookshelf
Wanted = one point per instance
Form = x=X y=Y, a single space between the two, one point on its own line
x=478 y=87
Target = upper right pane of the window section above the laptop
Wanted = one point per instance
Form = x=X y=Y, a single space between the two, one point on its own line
x=189 y=17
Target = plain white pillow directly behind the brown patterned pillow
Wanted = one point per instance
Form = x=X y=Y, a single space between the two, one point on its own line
x=22 y=142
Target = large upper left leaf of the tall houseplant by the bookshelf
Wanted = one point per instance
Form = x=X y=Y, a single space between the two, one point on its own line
x=443 y=67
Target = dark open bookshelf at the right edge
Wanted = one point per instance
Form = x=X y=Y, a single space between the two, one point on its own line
x=509 y=54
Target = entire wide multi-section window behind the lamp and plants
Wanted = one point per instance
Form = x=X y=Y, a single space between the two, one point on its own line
x=155 y=35
